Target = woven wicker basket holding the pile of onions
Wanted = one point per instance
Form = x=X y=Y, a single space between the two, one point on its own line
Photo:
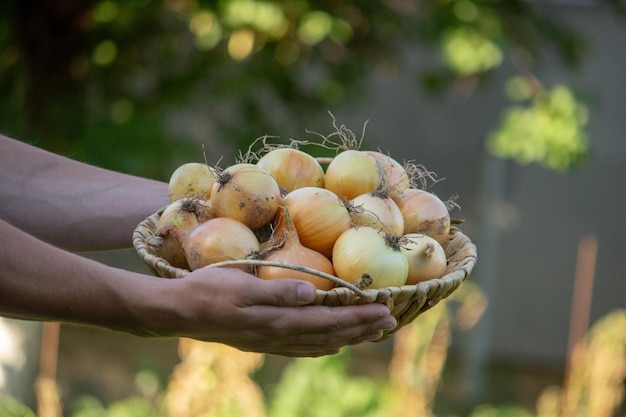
x=406 y=302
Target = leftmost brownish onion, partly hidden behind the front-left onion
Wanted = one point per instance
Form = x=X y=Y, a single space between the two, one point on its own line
x=182 y=214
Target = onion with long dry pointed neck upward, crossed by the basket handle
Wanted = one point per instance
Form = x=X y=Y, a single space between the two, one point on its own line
x=285 y=247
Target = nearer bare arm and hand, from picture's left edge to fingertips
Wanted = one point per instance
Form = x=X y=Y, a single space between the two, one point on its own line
x=41 y=282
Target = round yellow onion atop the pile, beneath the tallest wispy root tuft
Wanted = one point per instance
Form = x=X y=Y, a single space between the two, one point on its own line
x=352 y=173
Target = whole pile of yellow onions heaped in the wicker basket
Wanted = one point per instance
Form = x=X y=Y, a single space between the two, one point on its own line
x=361 y=219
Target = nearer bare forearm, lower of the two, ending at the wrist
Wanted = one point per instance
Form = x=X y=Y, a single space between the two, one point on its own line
x=41 y=282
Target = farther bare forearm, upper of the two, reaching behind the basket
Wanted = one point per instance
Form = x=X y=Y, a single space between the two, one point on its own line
x=70 y=204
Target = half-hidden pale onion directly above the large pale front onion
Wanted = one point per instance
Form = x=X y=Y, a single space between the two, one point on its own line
x=377 y=210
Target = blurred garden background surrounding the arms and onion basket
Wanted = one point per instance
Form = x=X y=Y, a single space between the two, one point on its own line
x=517 y=106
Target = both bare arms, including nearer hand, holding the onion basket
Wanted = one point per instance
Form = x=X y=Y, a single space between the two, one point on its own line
x=52 y=207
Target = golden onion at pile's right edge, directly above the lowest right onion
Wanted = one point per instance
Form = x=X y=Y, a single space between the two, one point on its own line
x=423 y=213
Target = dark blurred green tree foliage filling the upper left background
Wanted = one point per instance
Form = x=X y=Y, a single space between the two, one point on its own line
x=141 y=85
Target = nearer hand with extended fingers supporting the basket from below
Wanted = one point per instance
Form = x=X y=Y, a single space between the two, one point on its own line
x=229 y=306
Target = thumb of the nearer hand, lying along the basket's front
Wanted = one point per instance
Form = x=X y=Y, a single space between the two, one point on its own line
x=283 y=292
